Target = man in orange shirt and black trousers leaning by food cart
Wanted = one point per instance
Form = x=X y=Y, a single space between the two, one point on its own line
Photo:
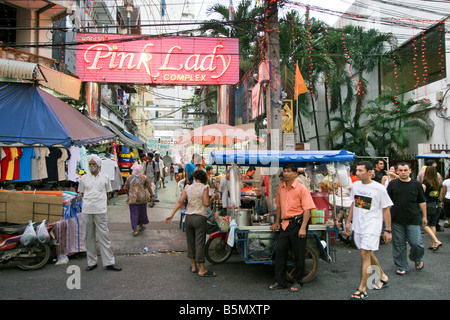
x=294 y=204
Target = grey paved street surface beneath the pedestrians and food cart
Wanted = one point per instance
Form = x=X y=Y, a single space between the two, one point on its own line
x=163 y=274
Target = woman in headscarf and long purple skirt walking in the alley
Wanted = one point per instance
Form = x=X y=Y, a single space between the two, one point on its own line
x=137 y=186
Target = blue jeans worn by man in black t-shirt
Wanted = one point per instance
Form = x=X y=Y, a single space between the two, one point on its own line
x=402 y=234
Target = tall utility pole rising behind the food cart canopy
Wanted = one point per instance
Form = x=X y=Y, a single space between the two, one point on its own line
x=273 y=98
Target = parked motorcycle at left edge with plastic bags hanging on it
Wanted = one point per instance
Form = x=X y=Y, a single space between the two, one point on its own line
x=32 y=256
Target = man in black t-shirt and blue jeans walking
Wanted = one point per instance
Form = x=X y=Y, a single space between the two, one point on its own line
x=408 y=213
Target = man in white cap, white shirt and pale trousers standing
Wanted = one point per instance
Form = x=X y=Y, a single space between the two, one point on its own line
x=94 y=188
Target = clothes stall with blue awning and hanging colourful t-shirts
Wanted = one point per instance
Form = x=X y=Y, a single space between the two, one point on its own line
x=39 y=135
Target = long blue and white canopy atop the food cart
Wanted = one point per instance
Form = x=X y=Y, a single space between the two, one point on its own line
x=267 y=158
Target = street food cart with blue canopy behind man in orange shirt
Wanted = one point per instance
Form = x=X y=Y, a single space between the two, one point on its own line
x=252 y=237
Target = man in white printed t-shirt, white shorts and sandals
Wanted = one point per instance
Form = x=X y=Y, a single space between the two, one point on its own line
x=370 y=206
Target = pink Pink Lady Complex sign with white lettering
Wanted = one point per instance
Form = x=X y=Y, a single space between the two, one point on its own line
x=169 y=60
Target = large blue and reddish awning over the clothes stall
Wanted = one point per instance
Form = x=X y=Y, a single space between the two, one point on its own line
x=29 y=116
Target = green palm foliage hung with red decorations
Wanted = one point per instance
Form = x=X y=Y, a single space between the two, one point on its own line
x=337 y=60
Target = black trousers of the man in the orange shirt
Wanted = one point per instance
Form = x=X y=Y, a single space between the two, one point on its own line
x=289 y=239
